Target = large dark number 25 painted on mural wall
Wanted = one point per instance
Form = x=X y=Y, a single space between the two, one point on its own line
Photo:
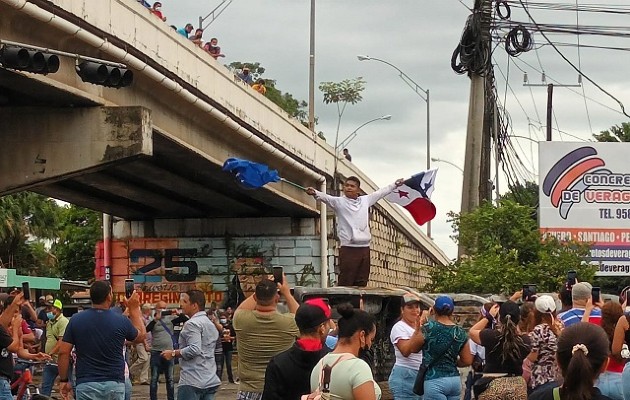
x=175 y=270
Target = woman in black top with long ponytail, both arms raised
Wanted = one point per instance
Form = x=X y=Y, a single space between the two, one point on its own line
x=506 y=348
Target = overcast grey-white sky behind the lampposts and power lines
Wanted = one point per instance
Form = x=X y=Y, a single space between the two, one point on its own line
x=419 y=36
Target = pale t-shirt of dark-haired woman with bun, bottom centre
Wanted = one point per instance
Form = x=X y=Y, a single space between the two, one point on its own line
x=344 y=377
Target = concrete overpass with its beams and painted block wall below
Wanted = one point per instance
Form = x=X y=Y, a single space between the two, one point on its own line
x=151 y=155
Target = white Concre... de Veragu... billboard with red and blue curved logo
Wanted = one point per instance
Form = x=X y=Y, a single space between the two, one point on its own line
x=585 y=196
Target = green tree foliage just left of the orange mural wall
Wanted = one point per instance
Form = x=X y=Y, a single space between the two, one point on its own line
x=77 y=233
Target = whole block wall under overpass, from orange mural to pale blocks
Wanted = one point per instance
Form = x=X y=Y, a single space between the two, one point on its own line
x=167 y=257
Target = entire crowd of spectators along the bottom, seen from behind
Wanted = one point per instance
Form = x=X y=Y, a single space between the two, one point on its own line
x=527 y=351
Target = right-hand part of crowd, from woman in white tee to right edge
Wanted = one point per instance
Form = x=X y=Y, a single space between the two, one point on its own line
x=532 y=351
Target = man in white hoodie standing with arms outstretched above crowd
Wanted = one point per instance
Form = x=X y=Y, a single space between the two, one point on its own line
x=353 y=228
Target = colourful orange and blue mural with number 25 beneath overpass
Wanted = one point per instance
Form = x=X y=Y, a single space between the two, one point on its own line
x=164 y=268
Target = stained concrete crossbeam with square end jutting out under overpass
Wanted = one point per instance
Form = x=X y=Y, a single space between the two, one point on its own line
x=44 y=145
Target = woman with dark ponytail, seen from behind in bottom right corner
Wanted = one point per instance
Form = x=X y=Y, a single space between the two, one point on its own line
x=582 y=355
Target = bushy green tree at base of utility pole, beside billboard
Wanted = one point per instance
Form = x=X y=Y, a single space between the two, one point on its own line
x=506 y=251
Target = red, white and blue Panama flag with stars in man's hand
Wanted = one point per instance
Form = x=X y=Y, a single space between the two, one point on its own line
x=415 y=196
